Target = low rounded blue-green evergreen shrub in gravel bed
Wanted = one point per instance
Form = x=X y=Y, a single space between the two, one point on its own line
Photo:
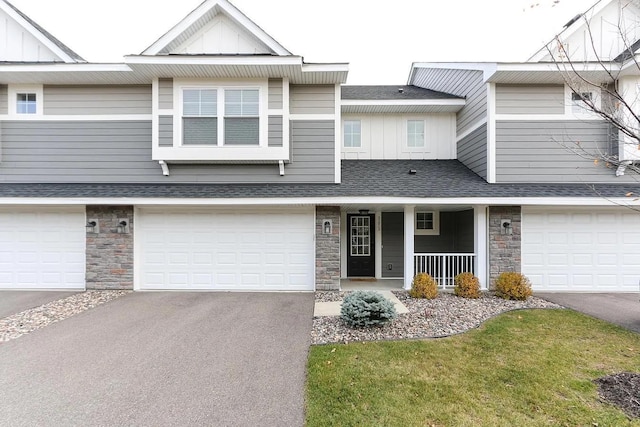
x=366 y=309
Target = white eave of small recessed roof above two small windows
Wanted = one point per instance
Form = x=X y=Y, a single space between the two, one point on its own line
x=402 y=106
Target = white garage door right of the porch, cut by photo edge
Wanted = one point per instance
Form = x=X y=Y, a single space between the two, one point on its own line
x=596 y=250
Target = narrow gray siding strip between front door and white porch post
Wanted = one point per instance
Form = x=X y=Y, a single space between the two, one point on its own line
x=393 y=244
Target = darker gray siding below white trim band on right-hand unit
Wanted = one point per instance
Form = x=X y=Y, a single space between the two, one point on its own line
x=535 y=151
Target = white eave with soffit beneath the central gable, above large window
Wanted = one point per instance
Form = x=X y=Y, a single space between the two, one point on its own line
x=245 y=67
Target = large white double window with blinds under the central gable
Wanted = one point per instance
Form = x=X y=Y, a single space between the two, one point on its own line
x=220 y=116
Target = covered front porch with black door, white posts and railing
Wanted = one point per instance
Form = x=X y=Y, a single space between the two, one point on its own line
x=384 y=247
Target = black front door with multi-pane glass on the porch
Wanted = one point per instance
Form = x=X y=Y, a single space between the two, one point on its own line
x=360 y=250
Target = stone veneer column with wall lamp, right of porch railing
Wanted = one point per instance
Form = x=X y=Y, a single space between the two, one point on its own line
x=504 y=249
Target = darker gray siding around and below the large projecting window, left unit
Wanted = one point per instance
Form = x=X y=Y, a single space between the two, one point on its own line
x=120 y=152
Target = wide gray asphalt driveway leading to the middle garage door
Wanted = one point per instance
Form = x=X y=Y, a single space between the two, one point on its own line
x=152 y=359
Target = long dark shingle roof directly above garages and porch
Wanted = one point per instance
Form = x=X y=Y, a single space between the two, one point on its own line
x=360 y=178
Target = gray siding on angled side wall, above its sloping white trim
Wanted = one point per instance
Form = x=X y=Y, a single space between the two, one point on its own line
x=465 y=83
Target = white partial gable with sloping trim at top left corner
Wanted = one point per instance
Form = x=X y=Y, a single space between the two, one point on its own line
x=26 y=41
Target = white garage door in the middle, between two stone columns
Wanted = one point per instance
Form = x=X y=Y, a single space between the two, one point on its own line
x=226 y=249
